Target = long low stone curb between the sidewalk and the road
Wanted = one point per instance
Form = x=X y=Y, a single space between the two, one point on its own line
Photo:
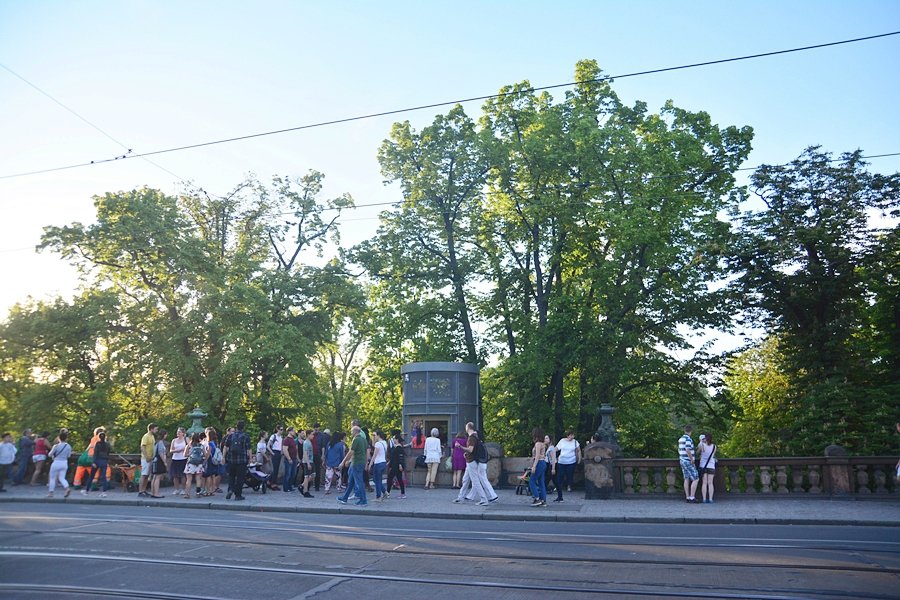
x=482 y=516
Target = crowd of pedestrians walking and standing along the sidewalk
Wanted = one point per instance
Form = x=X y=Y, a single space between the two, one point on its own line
x=307 y=460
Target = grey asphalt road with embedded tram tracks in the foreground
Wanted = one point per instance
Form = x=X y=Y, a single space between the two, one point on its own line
x=92 y=551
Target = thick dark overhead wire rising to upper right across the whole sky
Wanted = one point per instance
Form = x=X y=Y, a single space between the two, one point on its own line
x=451 y=102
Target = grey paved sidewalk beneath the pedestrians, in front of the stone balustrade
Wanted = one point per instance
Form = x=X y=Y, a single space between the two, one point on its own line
x=438 y=504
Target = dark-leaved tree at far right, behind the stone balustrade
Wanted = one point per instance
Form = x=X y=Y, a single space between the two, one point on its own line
x=812 y=267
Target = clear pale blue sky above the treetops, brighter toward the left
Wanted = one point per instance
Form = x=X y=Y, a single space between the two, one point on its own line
x=160 y=74
